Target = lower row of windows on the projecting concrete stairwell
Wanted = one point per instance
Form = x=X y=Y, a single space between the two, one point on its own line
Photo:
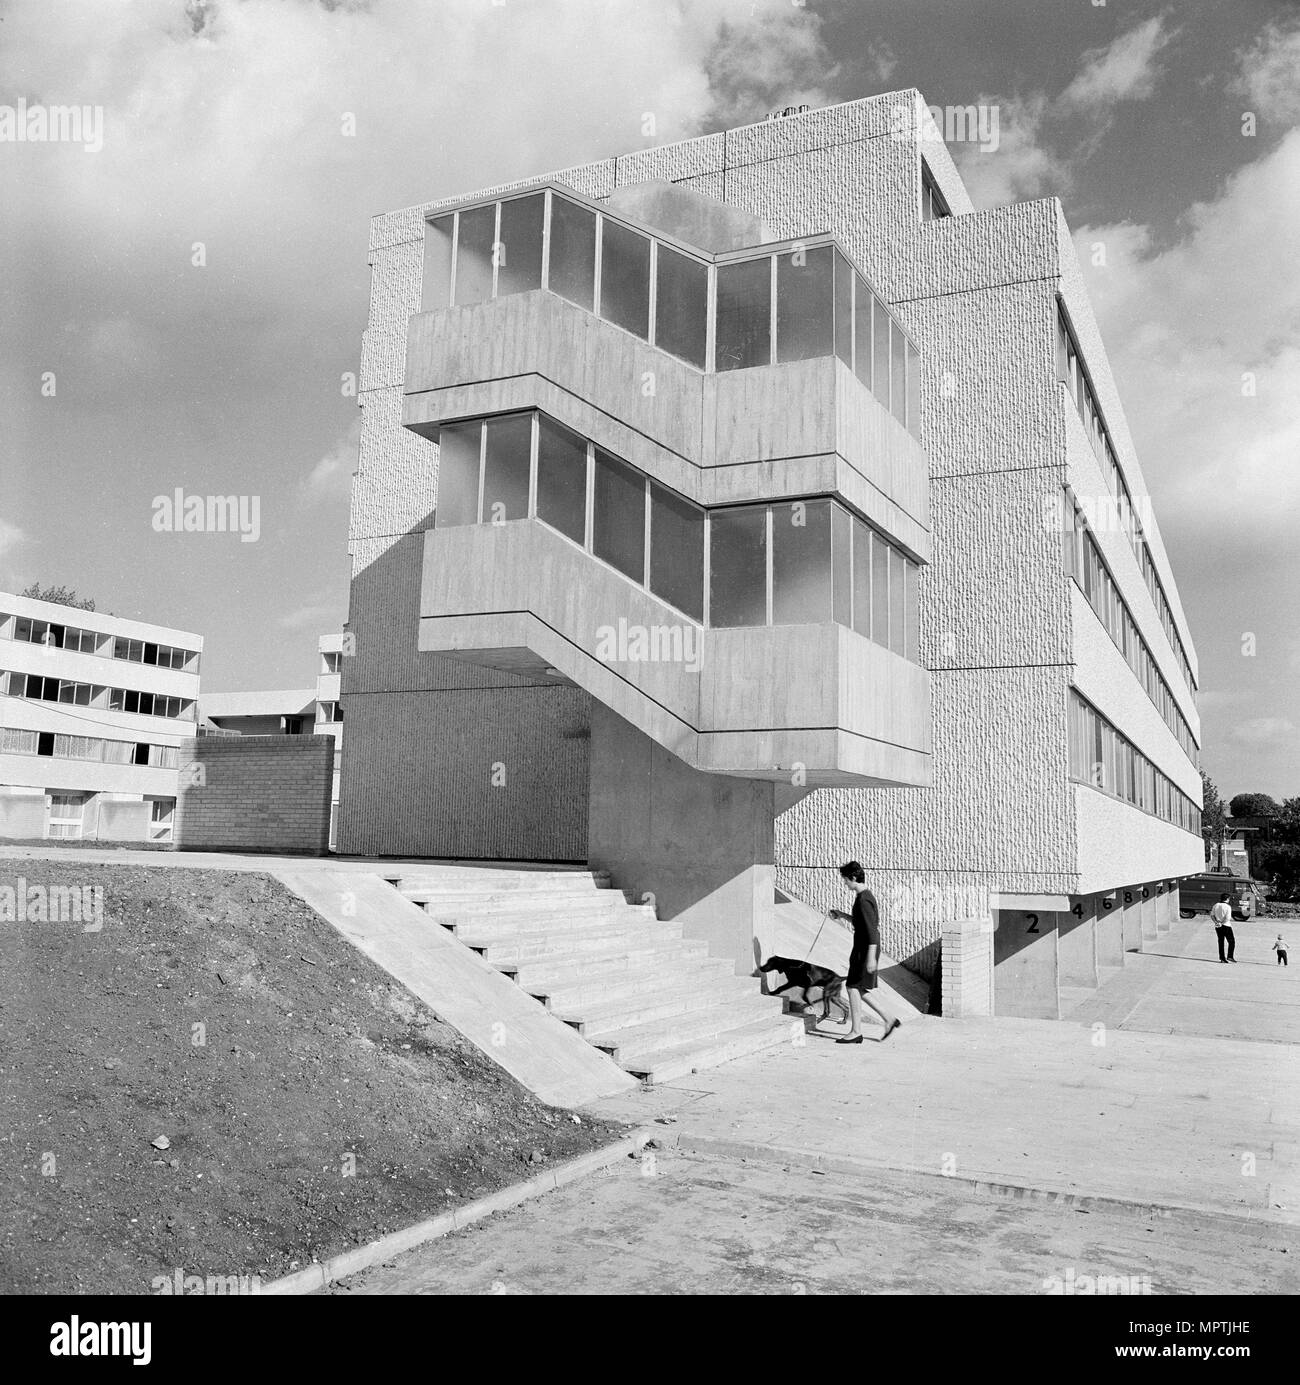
x=790 y=563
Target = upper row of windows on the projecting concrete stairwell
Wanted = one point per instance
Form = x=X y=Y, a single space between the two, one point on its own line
x=757 y=311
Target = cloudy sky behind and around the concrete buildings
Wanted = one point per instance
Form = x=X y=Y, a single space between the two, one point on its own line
x=185 y=292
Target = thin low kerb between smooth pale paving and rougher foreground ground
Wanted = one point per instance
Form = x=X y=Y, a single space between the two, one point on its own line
x=855 y=1167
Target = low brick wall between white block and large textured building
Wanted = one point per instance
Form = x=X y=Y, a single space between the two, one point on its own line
x=255 y=793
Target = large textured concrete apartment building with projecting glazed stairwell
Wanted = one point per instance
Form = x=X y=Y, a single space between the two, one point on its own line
x=732 y=509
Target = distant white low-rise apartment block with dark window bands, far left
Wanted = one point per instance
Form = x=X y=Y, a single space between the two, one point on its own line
x=93 y=714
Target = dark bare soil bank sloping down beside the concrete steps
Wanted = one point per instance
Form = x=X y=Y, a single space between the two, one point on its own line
x=307 y=1103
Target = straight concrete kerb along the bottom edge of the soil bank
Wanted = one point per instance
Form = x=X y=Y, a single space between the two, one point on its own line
x=323 y=1274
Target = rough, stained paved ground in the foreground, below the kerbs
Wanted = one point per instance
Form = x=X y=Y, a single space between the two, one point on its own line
x=722 y=1226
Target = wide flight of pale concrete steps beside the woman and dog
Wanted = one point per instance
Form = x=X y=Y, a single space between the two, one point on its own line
x=628 y=981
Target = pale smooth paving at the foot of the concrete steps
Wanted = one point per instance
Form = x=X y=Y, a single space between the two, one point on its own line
x=1172 y=1121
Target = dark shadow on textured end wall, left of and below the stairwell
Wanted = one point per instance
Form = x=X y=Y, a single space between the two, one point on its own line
x=446 y=758
